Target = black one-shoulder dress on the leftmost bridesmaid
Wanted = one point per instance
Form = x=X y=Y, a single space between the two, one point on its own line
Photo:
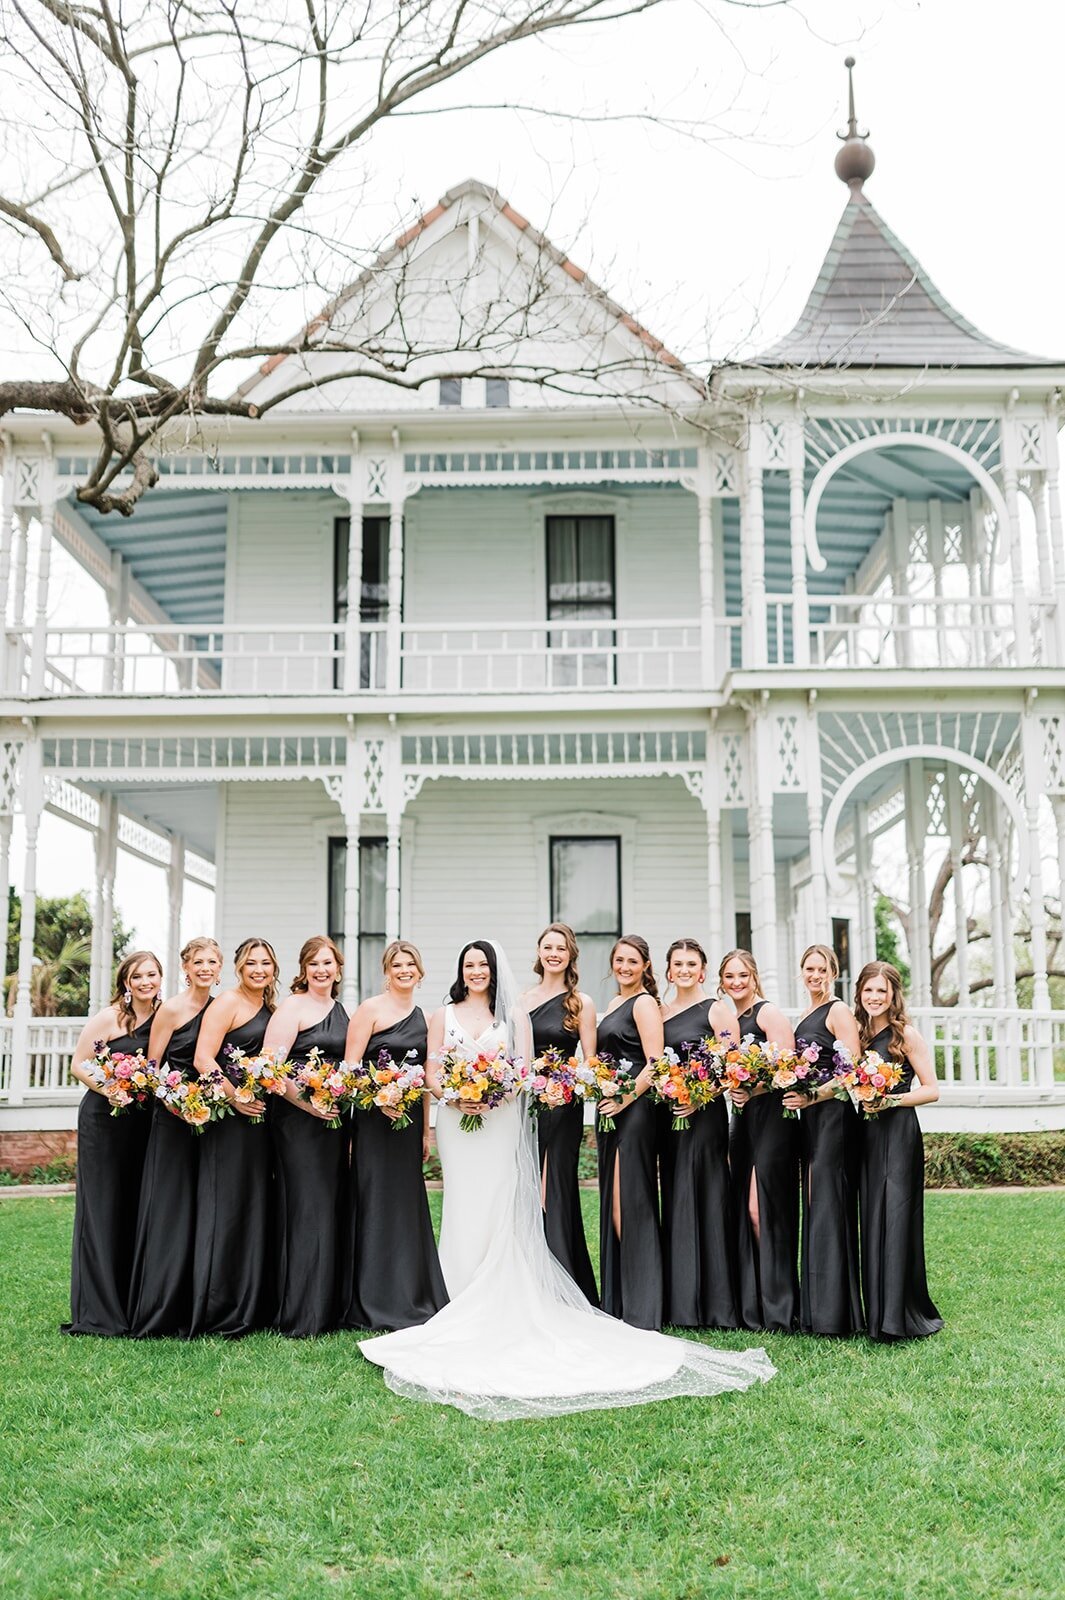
x=111 y=1167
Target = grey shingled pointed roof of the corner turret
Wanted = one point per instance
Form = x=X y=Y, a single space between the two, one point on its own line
x=874 y=305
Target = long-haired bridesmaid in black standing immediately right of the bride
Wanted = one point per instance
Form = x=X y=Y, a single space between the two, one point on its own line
x=562 y=1018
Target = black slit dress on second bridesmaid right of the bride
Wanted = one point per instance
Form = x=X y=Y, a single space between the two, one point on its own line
x=631 y=1268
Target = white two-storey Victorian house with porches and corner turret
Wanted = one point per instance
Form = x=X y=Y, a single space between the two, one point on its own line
x=583 y=641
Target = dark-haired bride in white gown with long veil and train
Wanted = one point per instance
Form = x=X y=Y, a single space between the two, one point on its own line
x=517 y=1337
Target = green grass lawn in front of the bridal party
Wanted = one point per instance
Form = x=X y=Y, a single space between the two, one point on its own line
x=276 y=1470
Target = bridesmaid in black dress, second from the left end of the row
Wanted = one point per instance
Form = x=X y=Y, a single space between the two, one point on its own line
x=161 y=1295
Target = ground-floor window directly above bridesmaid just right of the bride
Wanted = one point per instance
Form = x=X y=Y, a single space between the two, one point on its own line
x=586 y=894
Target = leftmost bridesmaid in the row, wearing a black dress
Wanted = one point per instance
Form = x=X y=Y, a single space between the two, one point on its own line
x=111 y=1158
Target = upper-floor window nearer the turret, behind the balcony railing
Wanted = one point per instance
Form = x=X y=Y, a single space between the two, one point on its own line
x=581 y=590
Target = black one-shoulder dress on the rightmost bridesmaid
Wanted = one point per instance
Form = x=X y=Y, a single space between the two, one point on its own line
x=891 y=1188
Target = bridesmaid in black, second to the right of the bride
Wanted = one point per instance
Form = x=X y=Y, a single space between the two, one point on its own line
x=631 y=1242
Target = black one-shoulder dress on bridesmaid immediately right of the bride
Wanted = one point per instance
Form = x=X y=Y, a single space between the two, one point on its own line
x=560 y=1135
